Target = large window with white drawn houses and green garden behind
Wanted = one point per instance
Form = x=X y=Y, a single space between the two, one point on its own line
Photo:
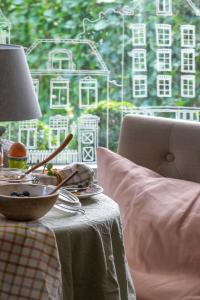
x=93 y=62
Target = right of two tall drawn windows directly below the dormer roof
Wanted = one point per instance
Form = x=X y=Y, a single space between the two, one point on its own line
x=88 y=92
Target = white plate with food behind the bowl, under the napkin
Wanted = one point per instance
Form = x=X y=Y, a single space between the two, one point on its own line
x=81 y=193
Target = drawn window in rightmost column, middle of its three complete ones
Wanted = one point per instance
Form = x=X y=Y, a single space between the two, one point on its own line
x=187 y=60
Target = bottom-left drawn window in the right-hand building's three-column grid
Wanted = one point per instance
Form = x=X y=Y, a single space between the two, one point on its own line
x=139 y=86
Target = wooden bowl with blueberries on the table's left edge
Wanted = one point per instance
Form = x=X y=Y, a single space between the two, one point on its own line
x=26 y=202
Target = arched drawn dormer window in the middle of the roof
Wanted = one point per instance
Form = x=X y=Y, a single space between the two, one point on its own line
x=61 y=59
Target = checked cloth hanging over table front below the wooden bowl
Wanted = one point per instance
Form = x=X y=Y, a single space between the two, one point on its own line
x=29 y=262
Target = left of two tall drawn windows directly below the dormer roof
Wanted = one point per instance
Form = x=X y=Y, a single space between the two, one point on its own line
x=59 y=97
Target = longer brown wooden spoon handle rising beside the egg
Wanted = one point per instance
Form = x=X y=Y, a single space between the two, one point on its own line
x=51 y=156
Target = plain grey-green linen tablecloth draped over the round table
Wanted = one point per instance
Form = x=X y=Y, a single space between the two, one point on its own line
x=91 y=251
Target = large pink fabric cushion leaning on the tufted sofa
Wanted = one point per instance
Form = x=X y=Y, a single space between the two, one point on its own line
x=161 y=225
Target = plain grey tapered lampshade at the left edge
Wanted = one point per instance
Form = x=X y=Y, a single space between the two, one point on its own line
x=18 y=100
